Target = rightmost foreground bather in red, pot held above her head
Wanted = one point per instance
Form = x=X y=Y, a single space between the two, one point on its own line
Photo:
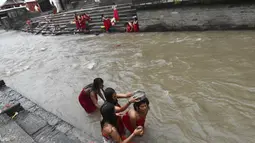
x=136 y=117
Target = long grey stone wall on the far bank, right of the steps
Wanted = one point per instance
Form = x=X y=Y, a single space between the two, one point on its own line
x=201 y=17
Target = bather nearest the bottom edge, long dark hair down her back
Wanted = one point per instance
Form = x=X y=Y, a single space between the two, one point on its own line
x=109 y=126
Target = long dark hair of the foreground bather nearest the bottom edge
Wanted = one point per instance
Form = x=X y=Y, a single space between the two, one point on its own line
x=107 y=111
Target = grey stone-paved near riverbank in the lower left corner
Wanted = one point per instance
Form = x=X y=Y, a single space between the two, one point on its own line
x=34 y=124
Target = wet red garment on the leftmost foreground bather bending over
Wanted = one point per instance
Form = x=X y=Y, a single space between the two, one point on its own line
x=86 y=102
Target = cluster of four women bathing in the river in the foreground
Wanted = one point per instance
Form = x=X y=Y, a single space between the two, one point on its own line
x=115 y=126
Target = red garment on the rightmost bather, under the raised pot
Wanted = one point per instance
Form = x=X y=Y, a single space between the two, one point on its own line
x=127 y=123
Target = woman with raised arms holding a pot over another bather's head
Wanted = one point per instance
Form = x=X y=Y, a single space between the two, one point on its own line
x=112 y=97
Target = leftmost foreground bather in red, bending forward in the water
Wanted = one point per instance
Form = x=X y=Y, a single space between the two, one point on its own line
x=88 y=96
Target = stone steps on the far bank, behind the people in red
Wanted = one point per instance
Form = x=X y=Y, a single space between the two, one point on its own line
x=65 y=20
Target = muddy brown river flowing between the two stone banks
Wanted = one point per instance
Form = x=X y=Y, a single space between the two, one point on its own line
x=201 y=85
